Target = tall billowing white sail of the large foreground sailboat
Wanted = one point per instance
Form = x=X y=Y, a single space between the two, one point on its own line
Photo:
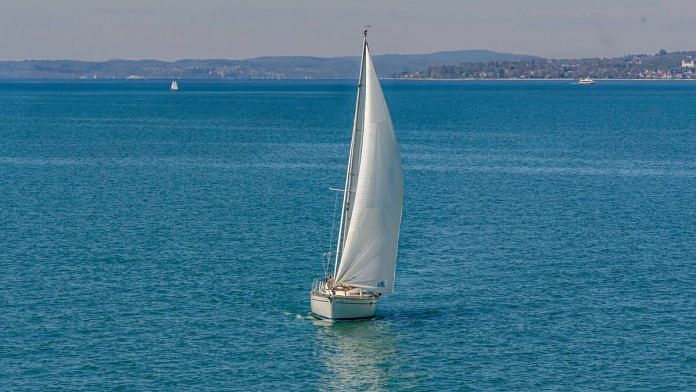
x=375 y=196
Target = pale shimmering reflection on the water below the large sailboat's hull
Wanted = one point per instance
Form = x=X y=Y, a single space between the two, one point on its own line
x=356 y=355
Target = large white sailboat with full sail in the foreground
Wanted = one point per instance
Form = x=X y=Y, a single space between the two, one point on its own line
x=368 y=235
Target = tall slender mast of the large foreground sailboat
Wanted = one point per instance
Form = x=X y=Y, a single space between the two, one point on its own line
x=349 y=174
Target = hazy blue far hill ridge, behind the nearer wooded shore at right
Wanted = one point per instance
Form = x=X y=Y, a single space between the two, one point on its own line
x=276 y=67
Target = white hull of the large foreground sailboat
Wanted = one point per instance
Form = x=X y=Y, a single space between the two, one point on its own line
x=343 y=308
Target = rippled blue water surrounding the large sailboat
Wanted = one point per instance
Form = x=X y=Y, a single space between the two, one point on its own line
x=167 y=241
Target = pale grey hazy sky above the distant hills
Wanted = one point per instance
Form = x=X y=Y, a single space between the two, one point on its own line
x=175 y=29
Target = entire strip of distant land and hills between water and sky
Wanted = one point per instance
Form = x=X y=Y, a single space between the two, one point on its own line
x=463 y=65
